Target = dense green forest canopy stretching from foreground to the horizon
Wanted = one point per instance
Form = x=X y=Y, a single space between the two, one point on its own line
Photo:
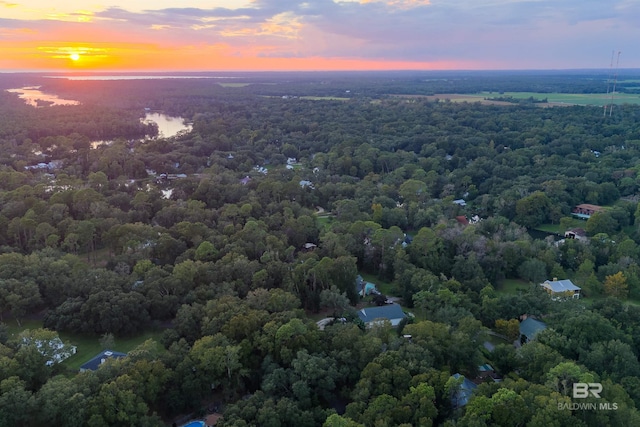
x=235 y=237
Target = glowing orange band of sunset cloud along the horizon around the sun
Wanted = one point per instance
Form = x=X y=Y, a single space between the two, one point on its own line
x=141 y=57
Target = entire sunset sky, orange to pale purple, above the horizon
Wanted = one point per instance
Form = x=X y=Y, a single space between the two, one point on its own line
x=313 y=35
